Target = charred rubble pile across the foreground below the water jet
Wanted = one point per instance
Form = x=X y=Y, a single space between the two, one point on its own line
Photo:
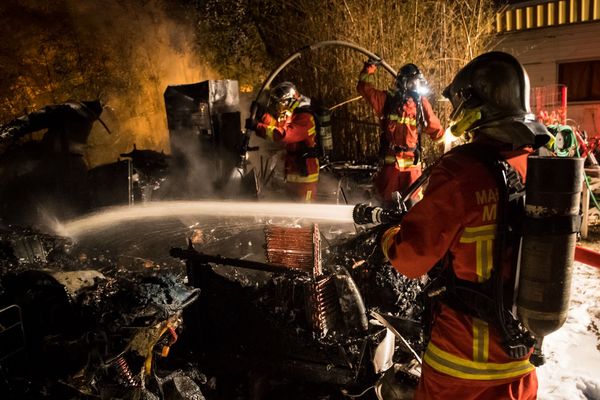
x=98 y=325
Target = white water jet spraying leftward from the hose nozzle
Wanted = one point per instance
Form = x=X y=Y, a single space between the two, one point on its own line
x=114 y=216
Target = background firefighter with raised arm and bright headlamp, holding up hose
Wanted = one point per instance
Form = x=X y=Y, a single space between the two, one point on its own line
x=402 y=113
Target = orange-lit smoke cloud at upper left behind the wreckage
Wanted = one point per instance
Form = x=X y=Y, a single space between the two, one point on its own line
x=125 y=53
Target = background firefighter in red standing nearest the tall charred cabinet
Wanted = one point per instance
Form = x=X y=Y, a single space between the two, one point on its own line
x=293 y=124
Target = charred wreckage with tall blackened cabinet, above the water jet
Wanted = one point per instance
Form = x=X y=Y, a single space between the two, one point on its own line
x=44 y=174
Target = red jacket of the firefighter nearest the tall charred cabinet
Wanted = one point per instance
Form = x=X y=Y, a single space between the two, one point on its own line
x=298 y=133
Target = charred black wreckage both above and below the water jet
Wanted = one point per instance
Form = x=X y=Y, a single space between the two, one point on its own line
x=291 y=311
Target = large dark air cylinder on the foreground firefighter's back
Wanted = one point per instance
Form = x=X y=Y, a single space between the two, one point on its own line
x=552 y=220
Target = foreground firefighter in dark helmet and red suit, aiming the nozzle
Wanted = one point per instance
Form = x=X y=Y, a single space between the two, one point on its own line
x=468 y=356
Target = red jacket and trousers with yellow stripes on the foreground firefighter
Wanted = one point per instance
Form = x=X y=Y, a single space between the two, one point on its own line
x=457 y=215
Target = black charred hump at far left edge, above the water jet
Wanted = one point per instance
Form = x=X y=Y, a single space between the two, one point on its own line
x=51 y=171
